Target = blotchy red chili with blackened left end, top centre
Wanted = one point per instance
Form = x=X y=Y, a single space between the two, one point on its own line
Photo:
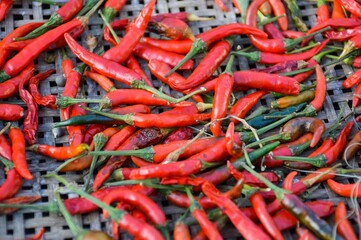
x=172 y=28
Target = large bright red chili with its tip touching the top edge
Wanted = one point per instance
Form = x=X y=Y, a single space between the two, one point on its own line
x=136 y=29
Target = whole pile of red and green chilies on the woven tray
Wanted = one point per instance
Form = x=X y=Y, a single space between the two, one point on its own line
x=177 y=119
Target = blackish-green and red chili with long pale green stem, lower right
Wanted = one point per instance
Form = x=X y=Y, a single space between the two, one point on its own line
x=297 y=208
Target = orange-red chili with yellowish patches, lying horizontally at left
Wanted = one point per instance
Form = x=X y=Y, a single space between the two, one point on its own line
x=60 y=153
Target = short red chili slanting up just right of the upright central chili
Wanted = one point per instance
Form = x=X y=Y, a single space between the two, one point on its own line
x=245 y=104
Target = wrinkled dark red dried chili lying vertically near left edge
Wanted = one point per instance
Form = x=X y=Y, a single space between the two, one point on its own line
x=31 y=121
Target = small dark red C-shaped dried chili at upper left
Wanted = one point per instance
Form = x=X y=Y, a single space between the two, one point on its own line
x=46 y=101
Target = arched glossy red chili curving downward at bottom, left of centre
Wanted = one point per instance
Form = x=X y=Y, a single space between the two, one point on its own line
x=147 y=205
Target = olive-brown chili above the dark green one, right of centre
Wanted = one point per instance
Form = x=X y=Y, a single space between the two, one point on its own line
x=288 y=101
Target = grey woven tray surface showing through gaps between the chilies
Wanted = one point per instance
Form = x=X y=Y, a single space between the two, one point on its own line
x=24 y=223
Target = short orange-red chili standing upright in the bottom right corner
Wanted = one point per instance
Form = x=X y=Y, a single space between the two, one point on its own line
x=344 y=227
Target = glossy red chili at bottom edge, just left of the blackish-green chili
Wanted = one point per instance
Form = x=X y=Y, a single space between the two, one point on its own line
x=259 y=206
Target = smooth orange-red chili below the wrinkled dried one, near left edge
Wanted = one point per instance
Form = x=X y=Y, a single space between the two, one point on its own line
x=18 y=153
